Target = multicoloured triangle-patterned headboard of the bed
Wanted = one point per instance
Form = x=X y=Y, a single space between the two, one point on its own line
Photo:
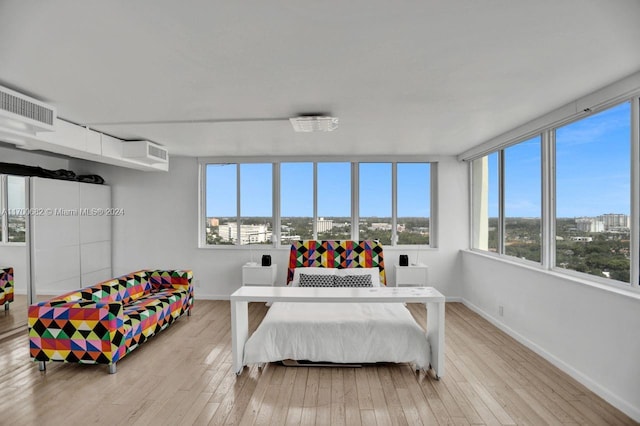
x=336 y=254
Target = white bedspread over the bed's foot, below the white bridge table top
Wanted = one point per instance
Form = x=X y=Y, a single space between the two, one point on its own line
x=338 y=332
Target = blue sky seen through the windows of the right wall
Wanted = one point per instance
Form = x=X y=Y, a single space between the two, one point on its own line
x=592 y=169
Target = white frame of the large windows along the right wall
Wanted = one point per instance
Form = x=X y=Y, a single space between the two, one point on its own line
x=547 y=136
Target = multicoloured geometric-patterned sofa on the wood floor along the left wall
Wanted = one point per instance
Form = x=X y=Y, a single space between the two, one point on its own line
x=103 y=323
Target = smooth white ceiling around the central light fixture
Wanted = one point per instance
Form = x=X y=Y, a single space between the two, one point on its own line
x=211 y=78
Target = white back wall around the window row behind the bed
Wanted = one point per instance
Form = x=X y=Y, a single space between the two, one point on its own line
x=159 y=229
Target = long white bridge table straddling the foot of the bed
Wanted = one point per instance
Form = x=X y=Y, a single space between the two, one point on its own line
x=432 y=298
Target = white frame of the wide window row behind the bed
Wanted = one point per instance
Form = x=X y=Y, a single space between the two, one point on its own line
x=276 y=187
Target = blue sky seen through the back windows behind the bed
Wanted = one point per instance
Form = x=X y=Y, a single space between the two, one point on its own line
x=334 y=189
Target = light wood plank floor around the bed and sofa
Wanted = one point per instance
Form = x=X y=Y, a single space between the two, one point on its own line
x=183 y=376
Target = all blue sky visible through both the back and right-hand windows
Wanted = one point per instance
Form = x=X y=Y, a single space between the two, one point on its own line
x=592 y=178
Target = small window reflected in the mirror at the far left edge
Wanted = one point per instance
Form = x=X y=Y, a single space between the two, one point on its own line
x=13 y=204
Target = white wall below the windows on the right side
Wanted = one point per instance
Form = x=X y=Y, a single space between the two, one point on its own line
x=588 y=332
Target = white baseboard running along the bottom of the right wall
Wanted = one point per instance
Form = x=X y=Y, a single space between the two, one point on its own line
x=602 y=392
